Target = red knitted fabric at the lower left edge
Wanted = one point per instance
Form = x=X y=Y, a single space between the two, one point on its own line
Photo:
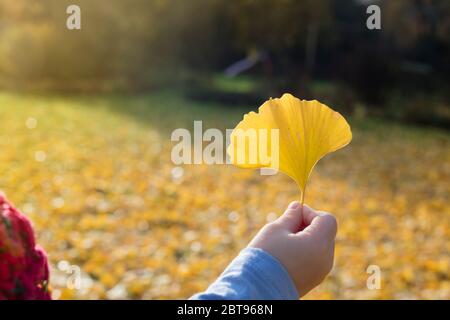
x=23 y=265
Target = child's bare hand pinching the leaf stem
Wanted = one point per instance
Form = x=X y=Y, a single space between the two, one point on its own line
x=303 y=244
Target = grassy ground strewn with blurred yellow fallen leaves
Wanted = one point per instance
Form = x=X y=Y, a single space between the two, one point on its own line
x=95 y=176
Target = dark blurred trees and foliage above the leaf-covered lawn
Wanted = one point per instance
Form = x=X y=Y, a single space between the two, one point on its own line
x=138 y=44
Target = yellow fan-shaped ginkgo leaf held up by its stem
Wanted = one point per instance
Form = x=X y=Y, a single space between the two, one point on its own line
x=290 y=135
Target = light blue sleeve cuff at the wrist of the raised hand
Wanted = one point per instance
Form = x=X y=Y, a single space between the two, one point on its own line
x=253 y=275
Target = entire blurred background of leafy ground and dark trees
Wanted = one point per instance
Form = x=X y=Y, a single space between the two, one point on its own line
x=87 y=116
